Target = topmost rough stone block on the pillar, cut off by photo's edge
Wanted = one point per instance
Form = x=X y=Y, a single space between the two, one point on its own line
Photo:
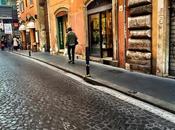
x=132 y=3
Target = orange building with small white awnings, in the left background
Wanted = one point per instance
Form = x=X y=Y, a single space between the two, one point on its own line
x=33 y=24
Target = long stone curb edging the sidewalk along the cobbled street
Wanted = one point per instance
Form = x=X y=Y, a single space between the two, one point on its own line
x=140 y=96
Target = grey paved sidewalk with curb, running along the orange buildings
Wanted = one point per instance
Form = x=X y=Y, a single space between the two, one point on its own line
x=152 y=89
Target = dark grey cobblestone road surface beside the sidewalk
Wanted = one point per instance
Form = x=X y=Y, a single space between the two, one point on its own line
x=32 y=97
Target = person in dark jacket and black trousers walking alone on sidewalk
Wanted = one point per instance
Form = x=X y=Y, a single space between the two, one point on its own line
x=71 y=42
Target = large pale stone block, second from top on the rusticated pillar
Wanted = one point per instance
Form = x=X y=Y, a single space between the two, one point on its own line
x=140 y=22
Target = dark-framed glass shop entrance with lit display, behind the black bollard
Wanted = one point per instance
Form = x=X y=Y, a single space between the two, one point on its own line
x=100 y=34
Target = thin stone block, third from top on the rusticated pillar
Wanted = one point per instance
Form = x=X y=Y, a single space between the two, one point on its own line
x=140 y=34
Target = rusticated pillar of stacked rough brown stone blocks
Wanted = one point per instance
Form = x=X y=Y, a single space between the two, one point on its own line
x=138 y=56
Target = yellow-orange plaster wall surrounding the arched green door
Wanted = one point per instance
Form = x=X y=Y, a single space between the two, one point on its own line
x=75 y=14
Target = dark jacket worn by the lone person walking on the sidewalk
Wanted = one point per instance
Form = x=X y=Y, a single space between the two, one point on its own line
x=71 y=39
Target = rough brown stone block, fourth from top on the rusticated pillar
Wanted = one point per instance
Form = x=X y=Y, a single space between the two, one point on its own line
x=139 y=44
